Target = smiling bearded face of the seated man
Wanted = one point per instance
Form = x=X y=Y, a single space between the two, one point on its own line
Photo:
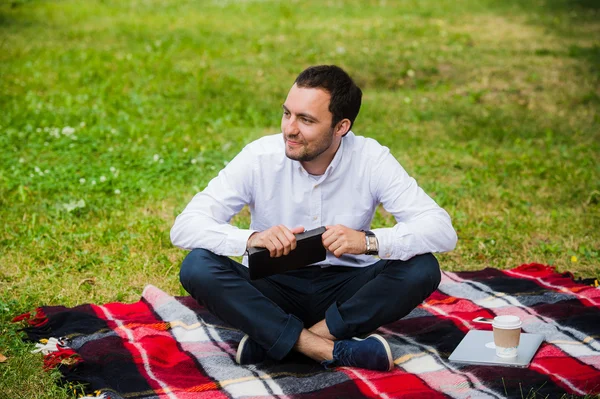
x=306 y=123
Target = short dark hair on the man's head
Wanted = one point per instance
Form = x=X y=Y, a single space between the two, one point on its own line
x=346 y=96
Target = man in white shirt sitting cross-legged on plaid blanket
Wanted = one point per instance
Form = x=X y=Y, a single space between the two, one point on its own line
x=316 y=173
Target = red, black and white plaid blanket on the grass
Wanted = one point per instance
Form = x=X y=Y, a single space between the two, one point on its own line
x=170 y=347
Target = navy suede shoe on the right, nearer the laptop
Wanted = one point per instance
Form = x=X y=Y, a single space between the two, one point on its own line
x=371 y=353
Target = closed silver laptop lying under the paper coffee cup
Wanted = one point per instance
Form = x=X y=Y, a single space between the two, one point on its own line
x=477 y=347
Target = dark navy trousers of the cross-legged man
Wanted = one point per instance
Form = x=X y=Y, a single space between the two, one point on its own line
x=274 y=310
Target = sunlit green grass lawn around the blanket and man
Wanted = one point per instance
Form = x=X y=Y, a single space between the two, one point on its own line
x=491 y=106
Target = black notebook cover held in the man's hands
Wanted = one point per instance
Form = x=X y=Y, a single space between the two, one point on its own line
x=309 y=250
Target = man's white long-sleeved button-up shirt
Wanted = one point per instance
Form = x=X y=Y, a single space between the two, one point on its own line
x=362 y=175
